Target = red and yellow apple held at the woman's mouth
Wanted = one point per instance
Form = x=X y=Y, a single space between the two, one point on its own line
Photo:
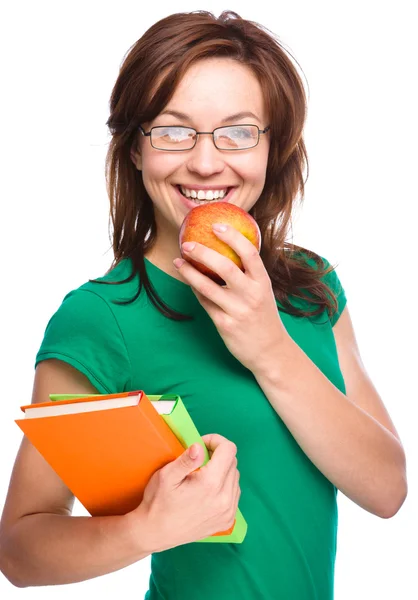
x=197 y=227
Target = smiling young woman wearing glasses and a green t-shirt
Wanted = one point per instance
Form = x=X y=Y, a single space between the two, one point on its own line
x=211 y=109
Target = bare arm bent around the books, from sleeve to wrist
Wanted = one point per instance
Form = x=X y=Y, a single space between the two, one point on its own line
x=40 y=542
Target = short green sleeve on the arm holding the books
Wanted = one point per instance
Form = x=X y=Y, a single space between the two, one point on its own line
x=85 y=334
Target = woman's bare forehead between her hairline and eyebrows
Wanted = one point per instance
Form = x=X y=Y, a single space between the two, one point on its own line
x=214 y=88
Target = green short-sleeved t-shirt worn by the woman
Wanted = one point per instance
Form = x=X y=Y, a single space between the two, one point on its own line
x=290 y=507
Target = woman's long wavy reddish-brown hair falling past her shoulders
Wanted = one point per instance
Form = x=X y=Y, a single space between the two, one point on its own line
x=158 y=61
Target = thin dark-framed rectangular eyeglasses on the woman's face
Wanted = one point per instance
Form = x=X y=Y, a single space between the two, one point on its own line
x=232 y=137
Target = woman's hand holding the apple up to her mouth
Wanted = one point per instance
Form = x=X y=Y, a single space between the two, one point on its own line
x=244 y=311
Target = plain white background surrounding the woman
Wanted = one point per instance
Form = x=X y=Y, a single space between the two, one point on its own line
x=59 y=61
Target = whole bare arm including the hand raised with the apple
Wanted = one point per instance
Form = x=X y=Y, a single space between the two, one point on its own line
x=350 y=438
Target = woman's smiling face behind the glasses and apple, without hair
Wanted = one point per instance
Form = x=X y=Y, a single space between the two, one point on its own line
x=209 y=94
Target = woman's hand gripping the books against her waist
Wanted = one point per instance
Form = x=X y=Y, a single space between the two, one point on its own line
x=182 y=505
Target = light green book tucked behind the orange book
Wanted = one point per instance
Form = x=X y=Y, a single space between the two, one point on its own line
x=181 y=423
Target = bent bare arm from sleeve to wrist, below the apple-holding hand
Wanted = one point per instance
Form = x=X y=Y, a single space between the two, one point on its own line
x=351 y=439
